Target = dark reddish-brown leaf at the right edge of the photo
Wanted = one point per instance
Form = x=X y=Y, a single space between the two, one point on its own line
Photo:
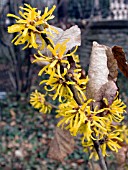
x=120 y=56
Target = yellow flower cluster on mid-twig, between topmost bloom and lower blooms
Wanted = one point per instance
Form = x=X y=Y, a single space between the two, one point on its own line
x=57 y=68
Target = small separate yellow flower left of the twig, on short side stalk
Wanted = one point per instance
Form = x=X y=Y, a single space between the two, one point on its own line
x=37 y=100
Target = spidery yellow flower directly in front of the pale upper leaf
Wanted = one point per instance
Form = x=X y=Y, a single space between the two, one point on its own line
x=56 y=59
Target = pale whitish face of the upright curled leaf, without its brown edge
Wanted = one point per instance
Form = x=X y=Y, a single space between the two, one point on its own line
x=98 y=70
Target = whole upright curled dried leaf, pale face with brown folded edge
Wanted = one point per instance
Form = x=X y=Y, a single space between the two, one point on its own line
x=102 y=75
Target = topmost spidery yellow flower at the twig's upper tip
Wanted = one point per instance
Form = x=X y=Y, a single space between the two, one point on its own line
x=28 y=26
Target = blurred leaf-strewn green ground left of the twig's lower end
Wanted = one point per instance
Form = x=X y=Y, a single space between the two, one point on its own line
x=25 y=138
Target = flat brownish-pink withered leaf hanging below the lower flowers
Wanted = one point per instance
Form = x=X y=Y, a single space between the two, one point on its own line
x=62 y=145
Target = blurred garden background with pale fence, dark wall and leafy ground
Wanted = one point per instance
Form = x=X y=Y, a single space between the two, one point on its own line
x=25 y=134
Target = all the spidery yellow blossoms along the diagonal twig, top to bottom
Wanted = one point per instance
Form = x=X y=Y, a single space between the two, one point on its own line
x=67 y=82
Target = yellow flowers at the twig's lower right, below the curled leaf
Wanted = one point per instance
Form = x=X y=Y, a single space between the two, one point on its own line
x=113 y=135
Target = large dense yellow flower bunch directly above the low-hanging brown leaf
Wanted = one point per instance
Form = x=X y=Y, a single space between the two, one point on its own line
x=80 y=119
